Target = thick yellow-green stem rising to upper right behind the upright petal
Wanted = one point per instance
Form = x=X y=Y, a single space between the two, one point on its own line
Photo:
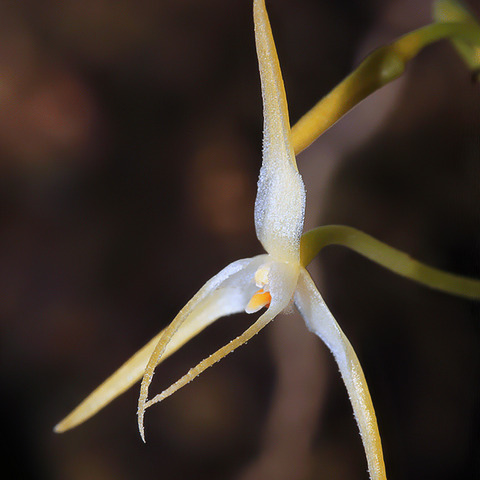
x=381 y=67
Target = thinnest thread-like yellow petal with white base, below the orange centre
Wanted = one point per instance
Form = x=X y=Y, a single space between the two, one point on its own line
x=282 y=282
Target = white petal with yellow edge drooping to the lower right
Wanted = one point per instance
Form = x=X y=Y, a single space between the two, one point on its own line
x=320 y=321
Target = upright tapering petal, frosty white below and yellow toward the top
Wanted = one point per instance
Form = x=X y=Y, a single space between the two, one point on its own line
x=280 y=202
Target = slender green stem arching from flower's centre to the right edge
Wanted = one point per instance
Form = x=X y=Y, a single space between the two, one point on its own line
x=391 y=258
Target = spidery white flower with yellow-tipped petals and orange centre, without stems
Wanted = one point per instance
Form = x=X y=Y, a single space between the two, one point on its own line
x=273 y=280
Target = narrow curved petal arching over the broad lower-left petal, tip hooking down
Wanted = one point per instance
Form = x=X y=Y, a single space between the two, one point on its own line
x=229 y=291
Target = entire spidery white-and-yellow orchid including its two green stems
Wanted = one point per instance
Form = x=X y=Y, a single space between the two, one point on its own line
x=278 y=279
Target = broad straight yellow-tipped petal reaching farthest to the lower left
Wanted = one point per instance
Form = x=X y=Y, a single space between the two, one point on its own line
x=231 y=297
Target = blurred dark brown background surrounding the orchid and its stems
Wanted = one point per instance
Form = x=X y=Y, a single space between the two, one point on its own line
x=130 y=139
